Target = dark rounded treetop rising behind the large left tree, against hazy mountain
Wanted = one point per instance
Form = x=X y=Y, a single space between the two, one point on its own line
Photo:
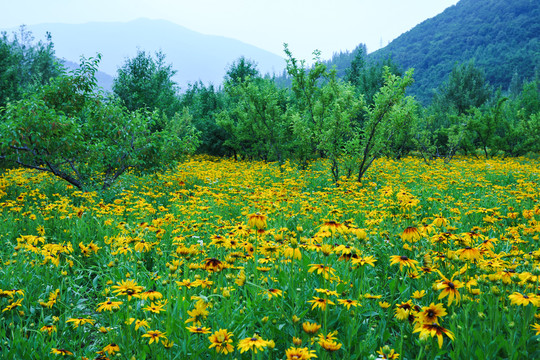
x=146 y=83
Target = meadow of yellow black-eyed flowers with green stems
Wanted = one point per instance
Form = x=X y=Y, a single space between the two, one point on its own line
x=219 y=259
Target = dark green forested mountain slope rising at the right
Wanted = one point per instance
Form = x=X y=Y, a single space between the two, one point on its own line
x=501 y=36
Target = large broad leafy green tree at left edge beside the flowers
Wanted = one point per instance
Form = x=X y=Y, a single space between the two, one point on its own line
x=68 y=129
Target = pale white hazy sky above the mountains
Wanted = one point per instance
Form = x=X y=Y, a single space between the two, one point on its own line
x=327 y=25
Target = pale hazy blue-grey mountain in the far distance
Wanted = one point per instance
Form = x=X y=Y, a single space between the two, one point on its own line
x=195 y=56
